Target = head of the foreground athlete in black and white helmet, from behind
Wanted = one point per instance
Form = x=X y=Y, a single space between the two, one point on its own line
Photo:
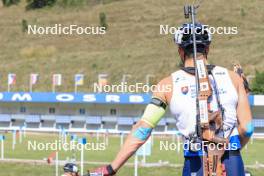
x=184 y=39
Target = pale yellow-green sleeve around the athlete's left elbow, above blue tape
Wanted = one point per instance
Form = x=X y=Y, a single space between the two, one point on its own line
x=153 y=114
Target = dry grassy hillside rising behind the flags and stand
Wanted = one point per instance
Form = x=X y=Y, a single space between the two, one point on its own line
x=132 y=44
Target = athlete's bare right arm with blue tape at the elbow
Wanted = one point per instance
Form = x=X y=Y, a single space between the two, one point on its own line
x=245 y=126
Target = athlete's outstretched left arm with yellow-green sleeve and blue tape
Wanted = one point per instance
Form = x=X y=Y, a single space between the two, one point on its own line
x=142 y=129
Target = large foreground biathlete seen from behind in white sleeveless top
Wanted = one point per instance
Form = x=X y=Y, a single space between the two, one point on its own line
x=227 y=86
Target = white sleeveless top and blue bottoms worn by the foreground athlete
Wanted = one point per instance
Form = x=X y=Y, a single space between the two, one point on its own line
x=184 y=97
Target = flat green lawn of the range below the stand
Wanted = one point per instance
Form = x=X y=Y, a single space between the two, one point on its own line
x=251 y=155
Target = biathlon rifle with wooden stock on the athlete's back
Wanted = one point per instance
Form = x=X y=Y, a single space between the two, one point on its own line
x=207 y=124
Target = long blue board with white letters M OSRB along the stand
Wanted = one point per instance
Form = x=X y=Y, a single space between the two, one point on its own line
x=98 y=98
